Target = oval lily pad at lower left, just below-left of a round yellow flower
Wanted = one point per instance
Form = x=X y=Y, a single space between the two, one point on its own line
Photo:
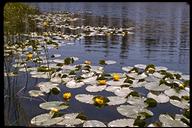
x=53 y=104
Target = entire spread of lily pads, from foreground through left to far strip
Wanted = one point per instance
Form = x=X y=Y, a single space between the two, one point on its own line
x=163 y=85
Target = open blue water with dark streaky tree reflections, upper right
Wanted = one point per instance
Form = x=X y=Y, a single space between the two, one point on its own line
x=161 y=31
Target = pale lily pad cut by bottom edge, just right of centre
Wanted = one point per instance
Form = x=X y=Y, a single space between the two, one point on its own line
x=121 y=123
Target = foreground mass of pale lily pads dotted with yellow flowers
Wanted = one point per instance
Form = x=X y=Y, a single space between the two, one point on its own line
x=164 y=86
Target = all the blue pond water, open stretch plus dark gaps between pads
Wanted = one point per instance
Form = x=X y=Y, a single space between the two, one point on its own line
x=160 y=36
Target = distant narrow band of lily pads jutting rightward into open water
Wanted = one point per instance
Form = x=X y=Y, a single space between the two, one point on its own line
x=65 y=26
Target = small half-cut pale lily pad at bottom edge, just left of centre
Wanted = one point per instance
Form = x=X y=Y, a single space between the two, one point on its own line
x=93 y=123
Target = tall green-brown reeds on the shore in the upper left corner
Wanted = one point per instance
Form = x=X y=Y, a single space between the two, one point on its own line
x=17 y=20
